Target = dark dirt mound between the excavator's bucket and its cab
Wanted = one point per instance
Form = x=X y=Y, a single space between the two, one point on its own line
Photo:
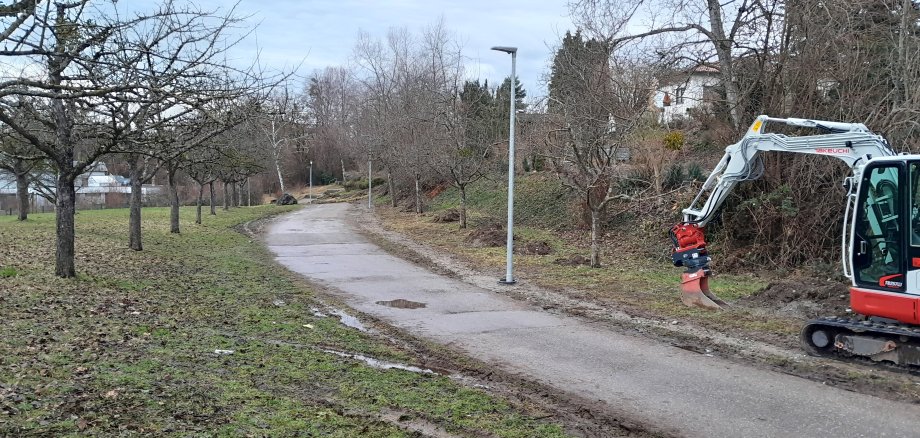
x=802 y=296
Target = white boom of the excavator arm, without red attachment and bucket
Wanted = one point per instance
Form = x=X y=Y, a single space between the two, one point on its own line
x=851 y=142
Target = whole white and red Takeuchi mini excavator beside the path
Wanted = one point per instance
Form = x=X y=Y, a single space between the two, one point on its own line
x=880 y=239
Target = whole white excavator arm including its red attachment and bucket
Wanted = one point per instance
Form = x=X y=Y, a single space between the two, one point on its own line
x=852 y=143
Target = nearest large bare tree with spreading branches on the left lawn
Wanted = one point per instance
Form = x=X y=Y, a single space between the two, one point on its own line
x=89 y=56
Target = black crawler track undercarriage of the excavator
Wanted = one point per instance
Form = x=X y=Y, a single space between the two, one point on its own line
x=875 y=339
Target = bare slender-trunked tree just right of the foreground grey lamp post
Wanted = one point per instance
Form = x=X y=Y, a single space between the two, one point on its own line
x=597 y=103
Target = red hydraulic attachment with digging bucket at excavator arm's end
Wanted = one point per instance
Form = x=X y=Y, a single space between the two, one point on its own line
x=690 y=251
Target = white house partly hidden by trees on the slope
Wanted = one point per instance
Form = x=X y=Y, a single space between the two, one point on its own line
x=683 y=92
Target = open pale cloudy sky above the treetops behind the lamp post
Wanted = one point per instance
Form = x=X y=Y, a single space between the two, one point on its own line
x=318 y=33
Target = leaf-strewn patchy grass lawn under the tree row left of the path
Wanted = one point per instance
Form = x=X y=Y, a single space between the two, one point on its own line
x=128 y=347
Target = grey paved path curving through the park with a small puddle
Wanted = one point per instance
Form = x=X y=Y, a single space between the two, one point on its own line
x=649 y=382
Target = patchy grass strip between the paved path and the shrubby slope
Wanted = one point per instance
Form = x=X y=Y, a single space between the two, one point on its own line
x=634 y=279
